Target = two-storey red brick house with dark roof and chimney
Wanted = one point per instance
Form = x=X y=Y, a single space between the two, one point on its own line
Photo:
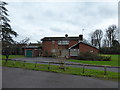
x=65 y=46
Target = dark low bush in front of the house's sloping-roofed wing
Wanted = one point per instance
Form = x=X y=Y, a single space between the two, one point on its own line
x=93 y=57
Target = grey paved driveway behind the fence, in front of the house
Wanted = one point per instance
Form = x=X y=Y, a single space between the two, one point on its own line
x=54 y=59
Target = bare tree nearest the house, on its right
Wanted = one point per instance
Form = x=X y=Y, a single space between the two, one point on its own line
x=96 y=37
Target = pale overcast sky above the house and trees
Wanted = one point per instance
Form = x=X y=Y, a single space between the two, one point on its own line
x=37 y=19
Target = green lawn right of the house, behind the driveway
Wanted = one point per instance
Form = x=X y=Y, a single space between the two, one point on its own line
x=113 y=62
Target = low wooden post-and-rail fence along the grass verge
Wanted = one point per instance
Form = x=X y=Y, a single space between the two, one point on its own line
x=66 y=63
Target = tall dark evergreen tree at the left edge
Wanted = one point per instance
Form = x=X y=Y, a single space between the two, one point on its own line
x=6 y=32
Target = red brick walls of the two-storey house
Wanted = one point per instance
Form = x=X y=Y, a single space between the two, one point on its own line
x=48 y=46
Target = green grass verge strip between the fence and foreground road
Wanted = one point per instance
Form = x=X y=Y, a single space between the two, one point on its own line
x=69 y=70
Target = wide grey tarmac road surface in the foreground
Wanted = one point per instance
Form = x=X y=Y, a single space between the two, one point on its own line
x=21 y=78
